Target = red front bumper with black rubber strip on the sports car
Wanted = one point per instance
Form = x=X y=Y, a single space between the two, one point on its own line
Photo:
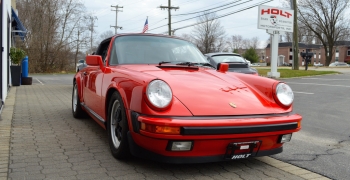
x=210 y=136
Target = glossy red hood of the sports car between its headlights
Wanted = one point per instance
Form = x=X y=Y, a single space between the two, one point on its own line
x=205 y=92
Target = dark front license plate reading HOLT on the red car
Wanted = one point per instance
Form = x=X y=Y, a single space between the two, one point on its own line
x=242 y=150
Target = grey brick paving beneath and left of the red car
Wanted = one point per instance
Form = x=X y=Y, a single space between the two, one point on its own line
x=40 y=139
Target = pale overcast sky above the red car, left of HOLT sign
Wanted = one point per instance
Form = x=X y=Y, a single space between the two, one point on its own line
x=135 y=12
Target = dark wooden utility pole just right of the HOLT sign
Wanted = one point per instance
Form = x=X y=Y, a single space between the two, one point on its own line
x=295 y=36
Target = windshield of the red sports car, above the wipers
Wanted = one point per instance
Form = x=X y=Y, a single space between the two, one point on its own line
x=153 y=50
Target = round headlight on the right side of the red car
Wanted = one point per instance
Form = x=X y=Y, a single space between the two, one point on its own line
x=284 y=94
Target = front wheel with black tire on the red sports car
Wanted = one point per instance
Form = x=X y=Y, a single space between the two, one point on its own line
x=117 y=127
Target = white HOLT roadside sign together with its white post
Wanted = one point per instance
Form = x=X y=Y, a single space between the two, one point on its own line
x=276 y=21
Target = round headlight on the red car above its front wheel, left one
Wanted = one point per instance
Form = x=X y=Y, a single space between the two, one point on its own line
x=159 y=93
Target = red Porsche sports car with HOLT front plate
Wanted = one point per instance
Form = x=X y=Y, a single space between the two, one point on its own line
x=158 y=98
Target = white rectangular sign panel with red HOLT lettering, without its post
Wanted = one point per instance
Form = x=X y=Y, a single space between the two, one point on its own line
x=274 y=18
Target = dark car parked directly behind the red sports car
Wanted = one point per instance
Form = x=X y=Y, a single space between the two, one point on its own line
x=236 y=62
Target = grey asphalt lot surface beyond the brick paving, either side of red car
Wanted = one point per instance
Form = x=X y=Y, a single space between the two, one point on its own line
x=323 y=144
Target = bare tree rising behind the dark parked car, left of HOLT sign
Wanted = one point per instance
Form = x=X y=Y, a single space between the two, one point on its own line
x=208 y=35
